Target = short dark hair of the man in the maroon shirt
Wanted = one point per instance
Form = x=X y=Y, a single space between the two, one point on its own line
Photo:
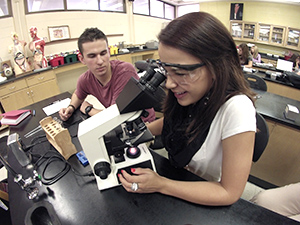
x=90 y=35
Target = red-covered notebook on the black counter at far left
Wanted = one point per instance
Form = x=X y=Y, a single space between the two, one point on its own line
x=14 y=117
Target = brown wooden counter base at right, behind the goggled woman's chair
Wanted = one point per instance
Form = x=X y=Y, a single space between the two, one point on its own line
x=279 y=163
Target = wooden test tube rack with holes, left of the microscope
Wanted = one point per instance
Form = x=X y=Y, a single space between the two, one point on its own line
x=58 y=136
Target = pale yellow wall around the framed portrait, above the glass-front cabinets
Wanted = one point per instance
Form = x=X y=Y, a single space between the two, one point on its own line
x=264 y=12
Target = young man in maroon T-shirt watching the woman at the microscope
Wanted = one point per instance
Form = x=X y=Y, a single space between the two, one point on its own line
x=104 y=79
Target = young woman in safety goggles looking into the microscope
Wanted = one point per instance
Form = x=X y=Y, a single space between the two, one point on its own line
x=209 y=117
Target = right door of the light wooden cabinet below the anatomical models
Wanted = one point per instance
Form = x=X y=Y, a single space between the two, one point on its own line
x=44 y=90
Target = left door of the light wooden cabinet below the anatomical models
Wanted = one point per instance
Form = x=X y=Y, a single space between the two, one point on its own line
x=16 y=100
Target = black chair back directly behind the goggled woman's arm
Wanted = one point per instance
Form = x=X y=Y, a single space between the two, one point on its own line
x=261 y=137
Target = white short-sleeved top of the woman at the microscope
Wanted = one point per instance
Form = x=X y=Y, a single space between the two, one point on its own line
x=237 y=115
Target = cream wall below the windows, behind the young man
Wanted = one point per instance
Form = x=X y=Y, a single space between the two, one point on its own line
x=133 y=29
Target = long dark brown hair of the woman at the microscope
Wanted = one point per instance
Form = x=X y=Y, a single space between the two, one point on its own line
x=205 y=37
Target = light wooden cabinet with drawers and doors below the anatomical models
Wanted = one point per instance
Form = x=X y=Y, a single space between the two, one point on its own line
x=25 y=91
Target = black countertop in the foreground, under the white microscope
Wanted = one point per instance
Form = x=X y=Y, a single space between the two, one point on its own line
x=76 y=199
